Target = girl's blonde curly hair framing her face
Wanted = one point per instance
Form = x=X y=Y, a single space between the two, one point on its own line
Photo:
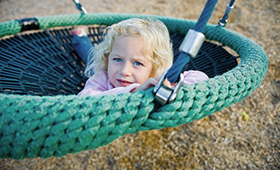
x=152 y=31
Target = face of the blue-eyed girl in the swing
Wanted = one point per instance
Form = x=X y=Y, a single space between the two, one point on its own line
x=127 y=63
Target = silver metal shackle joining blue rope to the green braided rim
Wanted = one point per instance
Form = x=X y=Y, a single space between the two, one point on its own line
x=165 y=94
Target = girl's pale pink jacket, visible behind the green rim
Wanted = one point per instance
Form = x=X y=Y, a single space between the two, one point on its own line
x=99 y=84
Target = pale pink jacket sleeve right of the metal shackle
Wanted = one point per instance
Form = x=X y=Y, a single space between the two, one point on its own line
x=191 y=77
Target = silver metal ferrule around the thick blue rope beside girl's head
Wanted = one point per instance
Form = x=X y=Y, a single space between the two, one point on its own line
x=192 y=42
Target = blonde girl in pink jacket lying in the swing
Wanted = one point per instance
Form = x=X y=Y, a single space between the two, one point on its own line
x=132 y=57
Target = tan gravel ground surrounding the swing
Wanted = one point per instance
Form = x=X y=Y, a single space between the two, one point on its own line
x=224 y=140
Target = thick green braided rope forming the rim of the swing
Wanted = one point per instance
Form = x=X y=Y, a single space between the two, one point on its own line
x=32 y=126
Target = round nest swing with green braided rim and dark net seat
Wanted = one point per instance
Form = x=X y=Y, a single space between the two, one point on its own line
x=40 y=115
